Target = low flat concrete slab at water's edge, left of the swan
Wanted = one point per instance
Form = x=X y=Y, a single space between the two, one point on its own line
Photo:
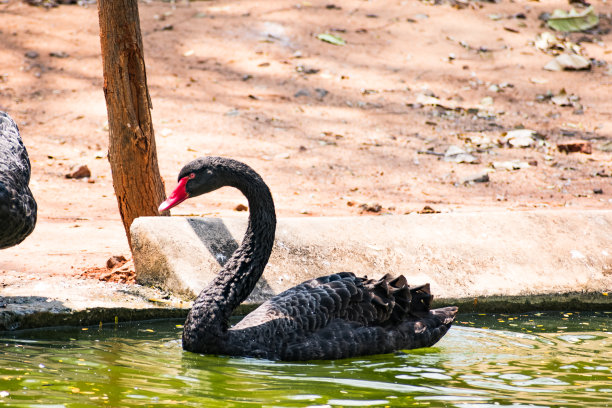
x=35 y=300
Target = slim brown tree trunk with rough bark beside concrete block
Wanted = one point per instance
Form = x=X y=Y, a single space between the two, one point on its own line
x=131 y=153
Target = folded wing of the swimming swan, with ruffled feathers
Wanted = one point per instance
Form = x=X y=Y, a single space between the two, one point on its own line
x=313 y=305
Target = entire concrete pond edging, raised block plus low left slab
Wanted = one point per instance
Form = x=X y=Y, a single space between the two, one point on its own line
x=501 y=262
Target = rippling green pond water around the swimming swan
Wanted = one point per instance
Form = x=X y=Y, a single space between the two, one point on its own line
x=534 y=360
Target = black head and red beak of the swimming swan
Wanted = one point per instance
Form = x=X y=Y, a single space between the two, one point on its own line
x=197 y=177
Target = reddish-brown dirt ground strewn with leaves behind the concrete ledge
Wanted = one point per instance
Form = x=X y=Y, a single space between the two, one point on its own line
x=335 y=130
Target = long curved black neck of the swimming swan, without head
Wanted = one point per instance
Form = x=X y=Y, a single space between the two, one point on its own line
x=208 y=321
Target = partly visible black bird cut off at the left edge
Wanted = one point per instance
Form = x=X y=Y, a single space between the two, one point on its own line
x=17 y=205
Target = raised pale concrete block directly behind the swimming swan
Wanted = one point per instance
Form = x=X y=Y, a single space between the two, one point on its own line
x=462 y=255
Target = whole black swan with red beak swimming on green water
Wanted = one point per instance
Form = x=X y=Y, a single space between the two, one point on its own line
x=332 y=317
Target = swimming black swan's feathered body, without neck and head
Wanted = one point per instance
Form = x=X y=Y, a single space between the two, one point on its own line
x=339 y=316
